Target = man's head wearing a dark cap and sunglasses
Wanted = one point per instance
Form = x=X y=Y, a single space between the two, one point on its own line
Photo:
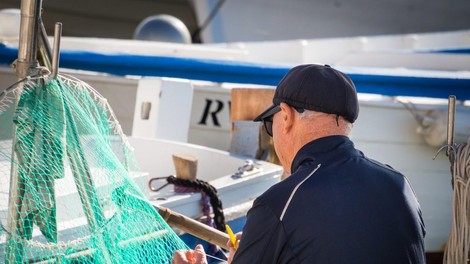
x=313 y=101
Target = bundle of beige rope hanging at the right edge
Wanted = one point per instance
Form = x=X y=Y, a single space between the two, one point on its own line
x=458 y=245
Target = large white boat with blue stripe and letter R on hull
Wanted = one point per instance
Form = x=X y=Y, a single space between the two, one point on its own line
x=403 y=81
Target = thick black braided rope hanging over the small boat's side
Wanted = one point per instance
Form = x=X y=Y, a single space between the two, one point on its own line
x=208 y=189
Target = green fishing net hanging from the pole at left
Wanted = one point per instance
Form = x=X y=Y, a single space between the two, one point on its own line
x=69 y=189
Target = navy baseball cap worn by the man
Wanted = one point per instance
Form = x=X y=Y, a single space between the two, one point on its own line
x=318 y=88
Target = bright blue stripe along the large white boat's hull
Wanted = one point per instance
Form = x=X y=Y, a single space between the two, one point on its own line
x=248 y=73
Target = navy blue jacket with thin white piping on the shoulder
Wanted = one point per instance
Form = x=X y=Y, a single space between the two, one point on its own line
x=338 y=206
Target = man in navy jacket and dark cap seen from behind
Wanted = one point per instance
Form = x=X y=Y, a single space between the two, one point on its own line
x=337 y=206
